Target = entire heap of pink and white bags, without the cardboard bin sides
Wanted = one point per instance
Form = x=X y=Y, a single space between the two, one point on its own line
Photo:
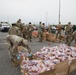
x=47 y=57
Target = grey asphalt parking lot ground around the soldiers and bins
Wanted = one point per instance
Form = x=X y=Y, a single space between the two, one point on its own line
x=5 y=64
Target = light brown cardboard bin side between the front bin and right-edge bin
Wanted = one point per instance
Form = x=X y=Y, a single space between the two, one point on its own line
x=61 y=68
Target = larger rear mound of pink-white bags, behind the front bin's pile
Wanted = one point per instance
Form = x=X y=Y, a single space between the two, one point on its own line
x=61 y=52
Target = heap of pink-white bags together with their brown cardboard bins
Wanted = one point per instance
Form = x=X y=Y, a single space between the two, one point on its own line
x=50 y=61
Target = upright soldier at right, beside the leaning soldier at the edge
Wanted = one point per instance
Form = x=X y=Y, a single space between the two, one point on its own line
x=69 y=31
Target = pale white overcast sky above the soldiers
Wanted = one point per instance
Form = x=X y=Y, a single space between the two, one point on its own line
x=36 y=10
